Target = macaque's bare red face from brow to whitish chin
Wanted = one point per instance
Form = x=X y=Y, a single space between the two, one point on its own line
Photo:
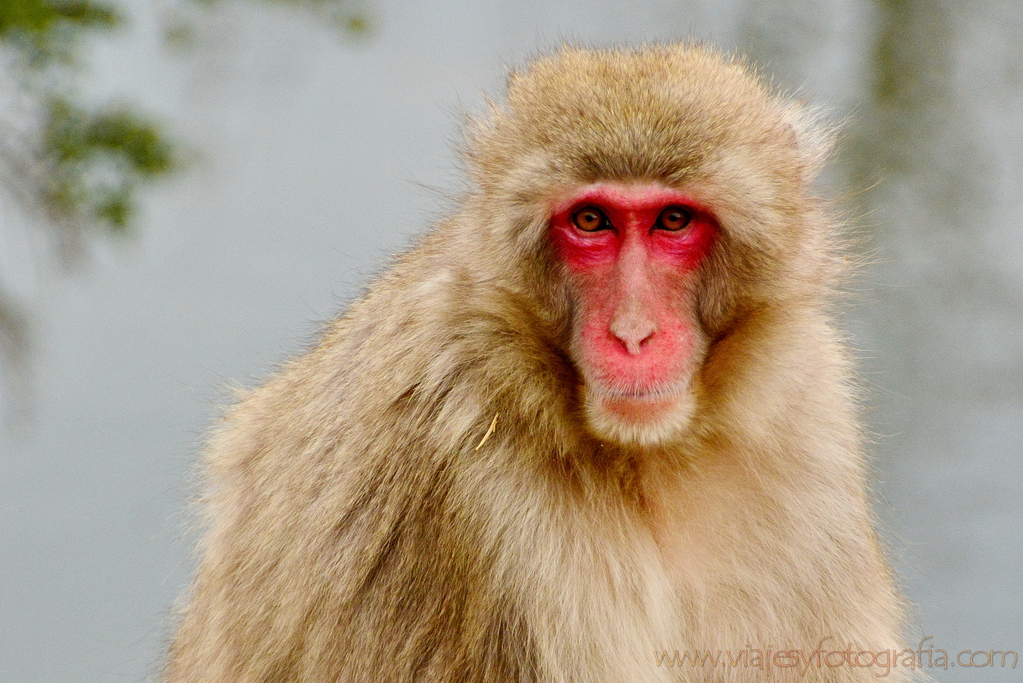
x=633 y=253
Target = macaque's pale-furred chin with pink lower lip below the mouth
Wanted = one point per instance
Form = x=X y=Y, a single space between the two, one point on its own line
x=640 y=419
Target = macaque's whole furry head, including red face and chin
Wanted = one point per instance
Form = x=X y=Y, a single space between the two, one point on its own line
x=661 y=213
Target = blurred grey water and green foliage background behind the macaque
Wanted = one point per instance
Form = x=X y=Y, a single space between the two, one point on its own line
x=189 y=189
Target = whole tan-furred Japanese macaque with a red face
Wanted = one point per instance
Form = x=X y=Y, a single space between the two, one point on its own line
x=600 y=415
